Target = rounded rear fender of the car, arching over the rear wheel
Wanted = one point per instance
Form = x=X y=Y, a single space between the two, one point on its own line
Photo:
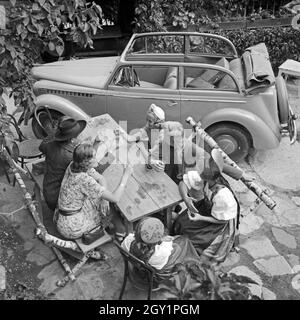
x=263 y=137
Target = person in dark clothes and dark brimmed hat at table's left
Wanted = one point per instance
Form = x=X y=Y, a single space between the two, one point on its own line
x=58 y=155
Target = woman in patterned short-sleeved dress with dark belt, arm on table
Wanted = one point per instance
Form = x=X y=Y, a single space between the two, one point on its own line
x=83 y=202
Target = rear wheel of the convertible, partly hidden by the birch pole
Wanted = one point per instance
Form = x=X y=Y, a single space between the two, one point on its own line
x=232 y=139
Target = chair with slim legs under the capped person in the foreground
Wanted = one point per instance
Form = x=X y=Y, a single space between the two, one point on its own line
x=141 y=274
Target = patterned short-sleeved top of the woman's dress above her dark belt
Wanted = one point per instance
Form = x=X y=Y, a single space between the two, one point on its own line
x=76 y=187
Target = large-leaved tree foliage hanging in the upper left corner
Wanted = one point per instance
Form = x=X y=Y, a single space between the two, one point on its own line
x=37 y=25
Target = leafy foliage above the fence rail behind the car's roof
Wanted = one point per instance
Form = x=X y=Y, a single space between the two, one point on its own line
x=186 y=13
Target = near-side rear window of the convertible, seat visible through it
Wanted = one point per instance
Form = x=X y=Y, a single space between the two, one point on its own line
x=207 y=79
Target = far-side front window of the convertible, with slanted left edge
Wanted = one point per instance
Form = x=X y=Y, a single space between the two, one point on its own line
x=173 y=44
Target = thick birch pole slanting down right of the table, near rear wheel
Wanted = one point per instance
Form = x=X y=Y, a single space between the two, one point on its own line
x=254 y=187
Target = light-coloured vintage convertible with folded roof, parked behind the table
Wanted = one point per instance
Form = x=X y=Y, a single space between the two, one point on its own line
x=238 y=100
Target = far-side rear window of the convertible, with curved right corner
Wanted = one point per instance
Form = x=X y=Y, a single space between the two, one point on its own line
x=199 y=44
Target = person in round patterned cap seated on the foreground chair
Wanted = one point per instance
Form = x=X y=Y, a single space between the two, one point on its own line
x=150 y=244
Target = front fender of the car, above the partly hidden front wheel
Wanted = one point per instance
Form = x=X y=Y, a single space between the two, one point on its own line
x=62 y=105
